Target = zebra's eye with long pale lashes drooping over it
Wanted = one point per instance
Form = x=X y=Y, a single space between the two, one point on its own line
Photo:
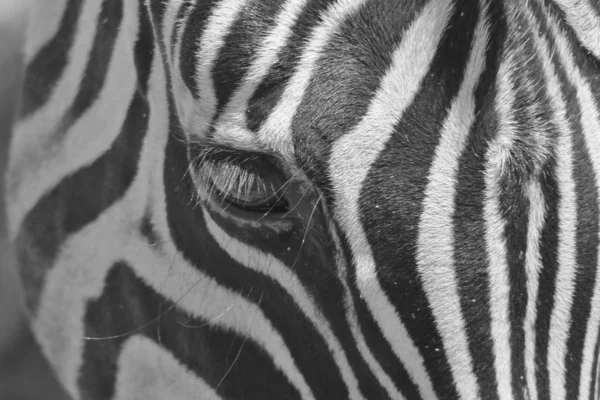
x=245 y=189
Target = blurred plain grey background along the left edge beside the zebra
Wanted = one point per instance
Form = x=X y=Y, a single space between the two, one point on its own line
x=24 y=375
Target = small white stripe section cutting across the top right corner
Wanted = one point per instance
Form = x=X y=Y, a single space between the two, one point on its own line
x=585 y=21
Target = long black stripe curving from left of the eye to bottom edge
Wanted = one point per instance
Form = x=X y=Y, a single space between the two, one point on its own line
x=189 y=233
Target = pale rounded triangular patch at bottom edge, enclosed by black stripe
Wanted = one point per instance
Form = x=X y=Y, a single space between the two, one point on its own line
x=147 y=371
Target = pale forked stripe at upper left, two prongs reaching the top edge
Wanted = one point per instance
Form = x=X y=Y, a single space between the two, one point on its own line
x=38 y=160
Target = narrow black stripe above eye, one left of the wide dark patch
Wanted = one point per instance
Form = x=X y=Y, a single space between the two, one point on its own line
x=269 y=92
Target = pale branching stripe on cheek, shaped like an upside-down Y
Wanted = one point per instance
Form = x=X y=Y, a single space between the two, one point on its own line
x=86 y=257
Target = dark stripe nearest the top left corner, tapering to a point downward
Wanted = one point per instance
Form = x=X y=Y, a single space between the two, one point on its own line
x=49 y=63
